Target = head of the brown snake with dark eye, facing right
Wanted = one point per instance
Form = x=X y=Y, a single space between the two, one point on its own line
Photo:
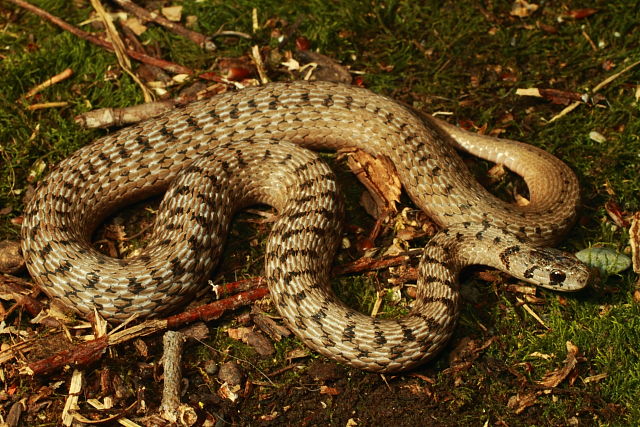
x=553 y=269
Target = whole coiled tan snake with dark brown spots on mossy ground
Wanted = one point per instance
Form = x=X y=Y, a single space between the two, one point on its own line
x=216 y=156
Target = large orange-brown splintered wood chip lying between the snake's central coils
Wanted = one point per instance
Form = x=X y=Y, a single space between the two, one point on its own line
x=379 y=175
